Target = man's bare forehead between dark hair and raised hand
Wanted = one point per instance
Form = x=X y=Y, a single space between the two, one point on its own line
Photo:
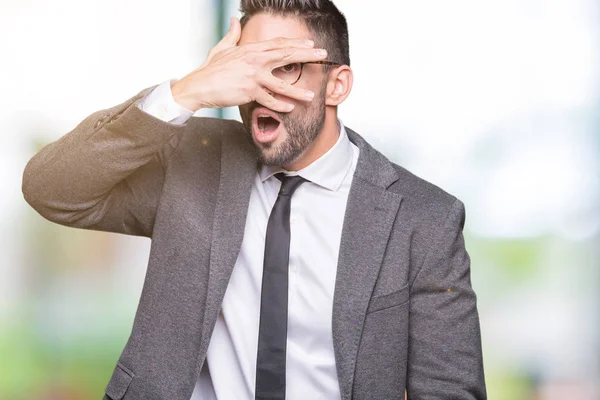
x=262 y=27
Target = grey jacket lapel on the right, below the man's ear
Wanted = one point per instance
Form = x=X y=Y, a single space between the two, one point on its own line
x=370 y=214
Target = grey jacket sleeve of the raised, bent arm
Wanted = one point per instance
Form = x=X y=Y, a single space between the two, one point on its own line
x=106 y=174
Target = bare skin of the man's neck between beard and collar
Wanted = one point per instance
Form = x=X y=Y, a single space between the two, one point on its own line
x=321 y=145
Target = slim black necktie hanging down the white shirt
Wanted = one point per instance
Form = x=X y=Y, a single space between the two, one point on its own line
x=272 y=332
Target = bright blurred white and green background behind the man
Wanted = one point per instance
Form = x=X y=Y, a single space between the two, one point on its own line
x=496 y=101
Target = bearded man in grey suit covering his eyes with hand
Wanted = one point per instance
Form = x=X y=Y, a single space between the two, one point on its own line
x=289 y=258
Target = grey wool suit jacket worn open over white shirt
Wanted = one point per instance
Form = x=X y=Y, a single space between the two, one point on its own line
x=404 y=312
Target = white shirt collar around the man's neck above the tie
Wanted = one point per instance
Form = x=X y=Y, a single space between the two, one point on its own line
x=327 y=171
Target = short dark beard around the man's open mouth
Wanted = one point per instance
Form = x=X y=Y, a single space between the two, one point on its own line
x=302 y=126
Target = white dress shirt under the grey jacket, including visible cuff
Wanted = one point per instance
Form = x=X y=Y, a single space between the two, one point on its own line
x=316 y=219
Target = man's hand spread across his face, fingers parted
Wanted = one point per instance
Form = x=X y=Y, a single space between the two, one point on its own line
x=234 y=75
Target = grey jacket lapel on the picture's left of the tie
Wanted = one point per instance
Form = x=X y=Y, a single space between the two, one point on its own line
x=238 y=168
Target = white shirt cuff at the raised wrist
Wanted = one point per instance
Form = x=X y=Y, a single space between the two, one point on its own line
x=161 y=104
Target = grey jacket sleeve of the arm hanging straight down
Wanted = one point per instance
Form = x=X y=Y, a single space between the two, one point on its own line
x=445 y=356
